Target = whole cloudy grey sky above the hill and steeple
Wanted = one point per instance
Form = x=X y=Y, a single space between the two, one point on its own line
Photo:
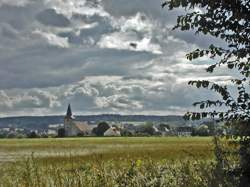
x=101 y=56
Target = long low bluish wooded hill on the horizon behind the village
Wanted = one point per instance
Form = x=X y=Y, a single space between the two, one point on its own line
x=42 y=122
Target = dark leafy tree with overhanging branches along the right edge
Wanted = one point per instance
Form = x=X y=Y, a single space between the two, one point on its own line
x=228 y=20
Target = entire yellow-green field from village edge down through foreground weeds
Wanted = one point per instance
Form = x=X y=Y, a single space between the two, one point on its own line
x=137 y=161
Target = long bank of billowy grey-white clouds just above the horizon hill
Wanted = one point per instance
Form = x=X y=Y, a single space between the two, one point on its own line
x=96 y=94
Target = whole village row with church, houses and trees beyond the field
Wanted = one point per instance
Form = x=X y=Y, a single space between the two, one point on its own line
x=75 y=128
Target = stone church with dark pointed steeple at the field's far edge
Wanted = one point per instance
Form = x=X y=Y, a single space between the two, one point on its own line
x=73 y=127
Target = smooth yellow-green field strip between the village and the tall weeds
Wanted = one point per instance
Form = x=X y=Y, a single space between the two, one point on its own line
x=156 y=148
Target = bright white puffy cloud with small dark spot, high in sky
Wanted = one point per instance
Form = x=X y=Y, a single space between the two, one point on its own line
x=134 y=33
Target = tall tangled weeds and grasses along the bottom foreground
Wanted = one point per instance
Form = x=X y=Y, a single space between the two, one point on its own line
x=128 y=173
